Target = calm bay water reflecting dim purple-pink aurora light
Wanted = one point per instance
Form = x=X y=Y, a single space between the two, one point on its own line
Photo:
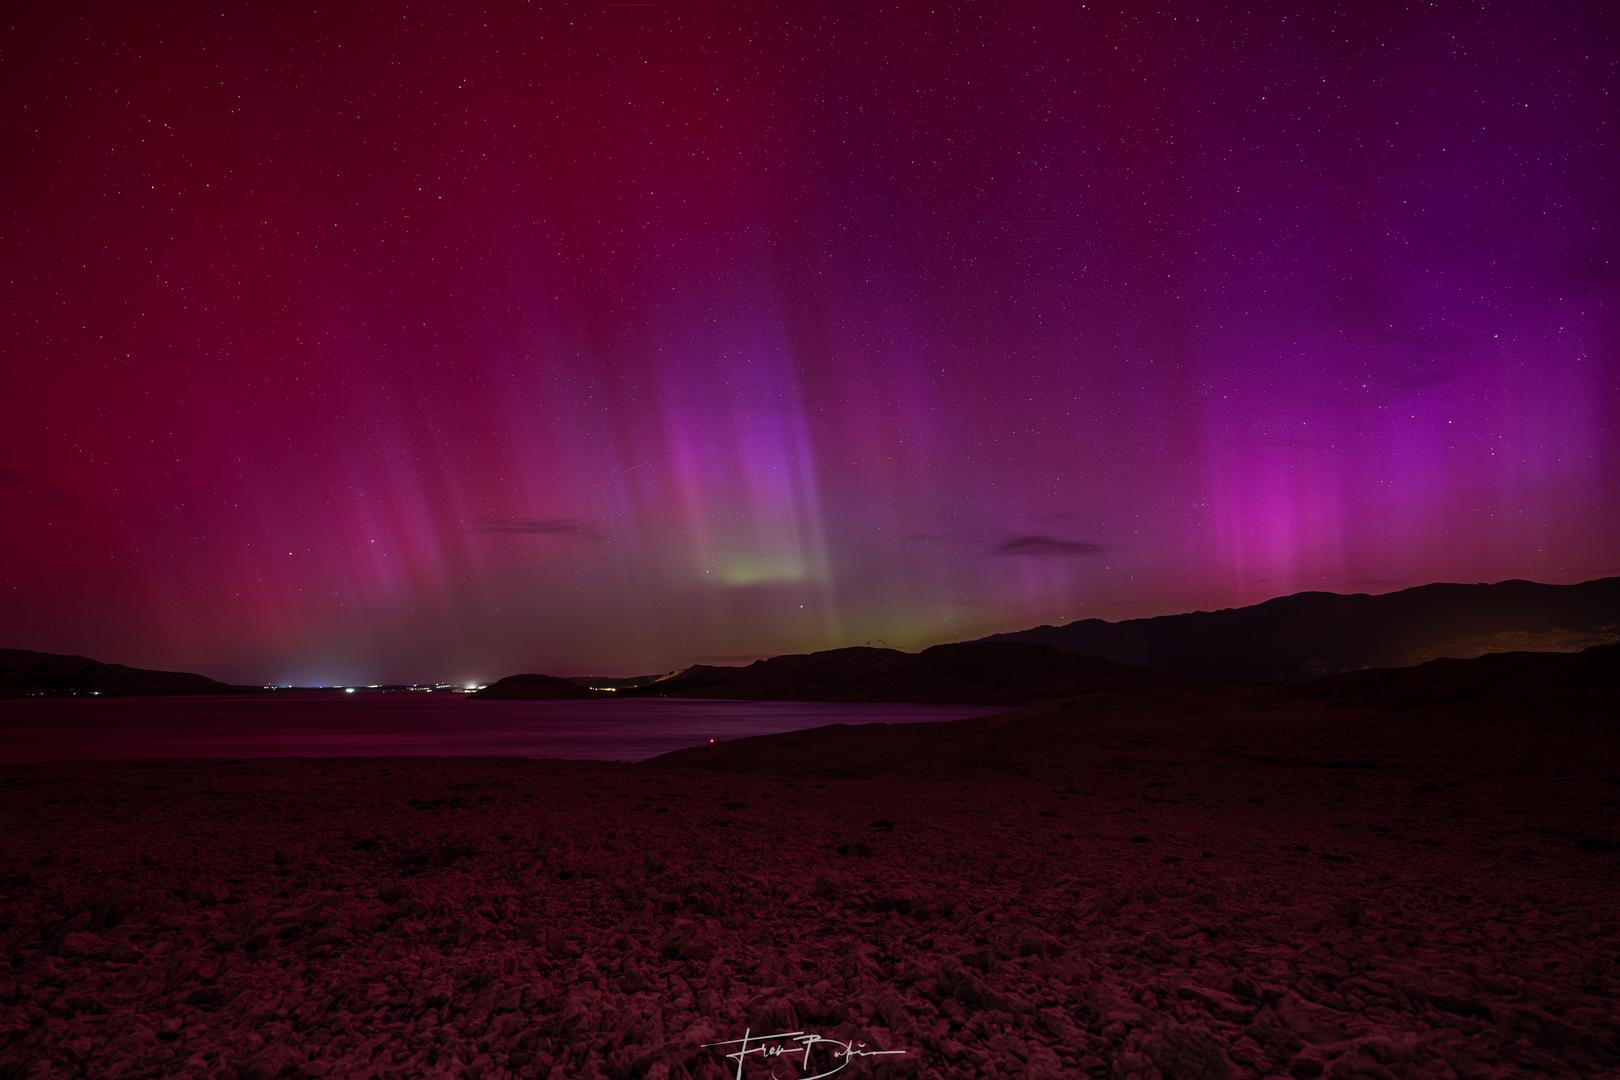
x=322 y=726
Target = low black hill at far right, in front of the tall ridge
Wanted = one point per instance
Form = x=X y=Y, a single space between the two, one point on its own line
x=1498 y=678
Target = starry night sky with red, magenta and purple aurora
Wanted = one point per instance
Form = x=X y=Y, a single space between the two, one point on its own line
x=367 y=344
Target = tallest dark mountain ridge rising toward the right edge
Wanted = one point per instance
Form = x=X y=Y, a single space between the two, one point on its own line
x=1310 y=636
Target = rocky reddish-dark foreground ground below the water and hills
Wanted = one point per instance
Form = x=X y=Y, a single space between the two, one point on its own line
x=1238 y=887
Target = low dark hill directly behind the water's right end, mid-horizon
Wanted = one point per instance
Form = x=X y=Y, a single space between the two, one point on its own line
x=1010 y=673
